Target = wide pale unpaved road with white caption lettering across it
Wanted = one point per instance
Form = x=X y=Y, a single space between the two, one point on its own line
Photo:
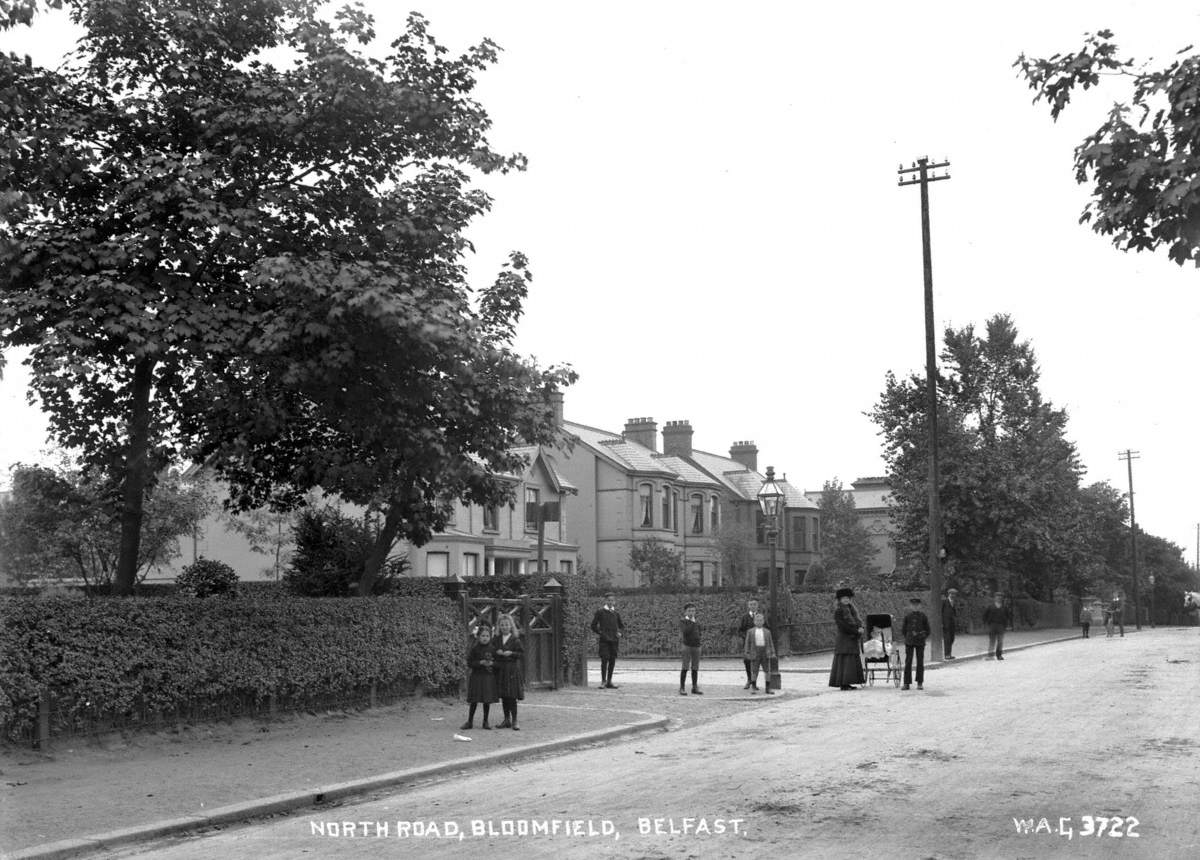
x=1019 y=759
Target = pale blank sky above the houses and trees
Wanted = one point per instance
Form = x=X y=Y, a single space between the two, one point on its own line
x=716 y=232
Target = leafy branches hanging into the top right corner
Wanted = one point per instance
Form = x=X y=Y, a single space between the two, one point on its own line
x=1142 y=161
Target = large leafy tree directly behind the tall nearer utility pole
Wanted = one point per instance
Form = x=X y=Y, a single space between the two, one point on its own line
x=1010 y=477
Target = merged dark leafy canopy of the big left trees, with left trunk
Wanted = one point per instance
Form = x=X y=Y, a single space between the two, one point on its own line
x=229 y=232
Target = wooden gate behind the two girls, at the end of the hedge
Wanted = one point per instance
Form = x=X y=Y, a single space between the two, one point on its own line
x=538 y=620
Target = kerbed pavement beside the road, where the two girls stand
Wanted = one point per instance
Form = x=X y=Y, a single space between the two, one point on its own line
x=94 y=796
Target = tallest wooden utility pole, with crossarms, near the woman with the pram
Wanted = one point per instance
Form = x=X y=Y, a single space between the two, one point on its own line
x=921 y=175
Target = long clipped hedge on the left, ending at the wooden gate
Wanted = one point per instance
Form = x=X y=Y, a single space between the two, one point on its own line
x=161 y=655
